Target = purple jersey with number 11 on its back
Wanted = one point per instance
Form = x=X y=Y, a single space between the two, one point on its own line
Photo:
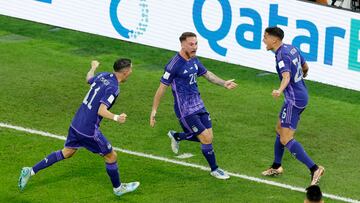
x=104 y=89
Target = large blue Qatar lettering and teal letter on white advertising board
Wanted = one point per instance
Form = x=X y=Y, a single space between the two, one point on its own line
x=332 y=33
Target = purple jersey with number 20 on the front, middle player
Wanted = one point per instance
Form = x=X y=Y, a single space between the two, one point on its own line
x=181 y=75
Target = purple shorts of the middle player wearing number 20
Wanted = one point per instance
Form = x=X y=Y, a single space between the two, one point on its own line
x=195 y=124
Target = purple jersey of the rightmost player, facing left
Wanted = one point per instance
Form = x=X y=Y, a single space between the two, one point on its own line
x=288 y=59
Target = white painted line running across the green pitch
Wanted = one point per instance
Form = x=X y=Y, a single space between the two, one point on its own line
x=259 y=180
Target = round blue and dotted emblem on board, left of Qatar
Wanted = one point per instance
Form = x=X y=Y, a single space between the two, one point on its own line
x=136 y=31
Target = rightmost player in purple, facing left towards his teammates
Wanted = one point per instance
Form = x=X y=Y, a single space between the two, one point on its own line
x=291 y=68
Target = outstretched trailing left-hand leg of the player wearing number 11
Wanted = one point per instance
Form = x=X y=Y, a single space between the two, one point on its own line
x=70 y=148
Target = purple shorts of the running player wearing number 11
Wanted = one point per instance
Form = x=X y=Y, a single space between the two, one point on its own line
x=96 y=144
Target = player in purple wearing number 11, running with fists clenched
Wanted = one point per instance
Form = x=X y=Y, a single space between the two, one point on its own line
x=84 y=130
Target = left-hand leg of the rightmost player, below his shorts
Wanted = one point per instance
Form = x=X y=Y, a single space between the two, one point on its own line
x=276 y=168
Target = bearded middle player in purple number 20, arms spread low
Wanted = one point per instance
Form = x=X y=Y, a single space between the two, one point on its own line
x=181 y=73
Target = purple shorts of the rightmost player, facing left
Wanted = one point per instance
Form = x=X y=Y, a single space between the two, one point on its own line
x=289 y=116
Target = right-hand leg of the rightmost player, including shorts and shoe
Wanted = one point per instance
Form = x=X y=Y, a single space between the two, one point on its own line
x=290 y=118
